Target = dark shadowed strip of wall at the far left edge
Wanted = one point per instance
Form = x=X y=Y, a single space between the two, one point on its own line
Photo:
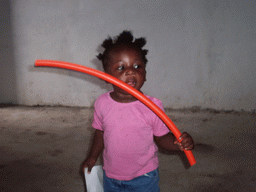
x=8 y=87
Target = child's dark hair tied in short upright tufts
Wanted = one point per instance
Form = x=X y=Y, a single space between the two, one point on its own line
x=124 y=39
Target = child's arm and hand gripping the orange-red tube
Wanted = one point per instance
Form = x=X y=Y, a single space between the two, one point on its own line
x=170 y=143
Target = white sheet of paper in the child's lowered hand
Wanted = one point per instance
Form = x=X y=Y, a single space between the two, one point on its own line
x=94 y=180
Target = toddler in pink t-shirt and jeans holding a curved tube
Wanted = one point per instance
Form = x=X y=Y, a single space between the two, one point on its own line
x=126 y=130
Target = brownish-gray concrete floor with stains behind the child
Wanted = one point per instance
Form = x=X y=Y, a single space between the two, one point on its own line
x=42 y=148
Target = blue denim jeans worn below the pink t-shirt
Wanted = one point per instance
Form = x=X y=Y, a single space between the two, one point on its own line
x=148 y=182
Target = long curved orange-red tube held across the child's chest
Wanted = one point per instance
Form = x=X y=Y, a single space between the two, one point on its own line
x=124 y=86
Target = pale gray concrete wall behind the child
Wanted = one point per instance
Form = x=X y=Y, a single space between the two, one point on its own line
x=201 y=53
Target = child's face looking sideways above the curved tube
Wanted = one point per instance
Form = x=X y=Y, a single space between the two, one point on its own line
x=126 y=64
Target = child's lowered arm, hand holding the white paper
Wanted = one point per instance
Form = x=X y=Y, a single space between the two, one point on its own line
x=96 y=149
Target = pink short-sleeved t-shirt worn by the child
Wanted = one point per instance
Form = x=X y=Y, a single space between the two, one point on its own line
x=129 y=147
